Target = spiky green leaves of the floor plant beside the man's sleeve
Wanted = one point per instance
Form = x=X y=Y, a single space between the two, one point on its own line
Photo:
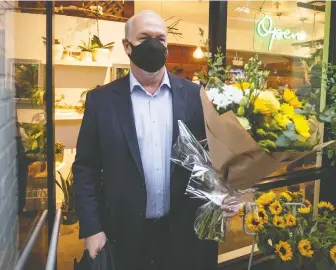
x=67 y=187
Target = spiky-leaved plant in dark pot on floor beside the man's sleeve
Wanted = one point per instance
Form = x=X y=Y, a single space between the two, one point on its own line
x=68 y=205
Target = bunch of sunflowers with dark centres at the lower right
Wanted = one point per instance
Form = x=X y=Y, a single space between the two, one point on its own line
x=285 y=227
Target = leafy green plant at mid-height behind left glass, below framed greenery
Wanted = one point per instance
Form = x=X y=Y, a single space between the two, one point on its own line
x=34 y=140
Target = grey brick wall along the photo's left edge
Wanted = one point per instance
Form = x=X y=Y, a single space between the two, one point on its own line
x=8 y=169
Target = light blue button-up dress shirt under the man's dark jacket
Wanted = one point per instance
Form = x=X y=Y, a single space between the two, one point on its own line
x=153 y=115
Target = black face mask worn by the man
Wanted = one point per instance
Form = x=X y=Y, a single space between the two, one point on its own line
x=150 y=55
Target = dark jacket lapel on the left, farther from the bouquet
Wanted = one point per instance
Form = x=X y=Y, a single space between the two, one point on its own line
x=122 y=104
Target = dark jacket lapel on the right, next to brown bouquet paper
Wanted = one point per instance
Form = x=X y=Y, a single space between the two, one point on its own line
x=179 y=107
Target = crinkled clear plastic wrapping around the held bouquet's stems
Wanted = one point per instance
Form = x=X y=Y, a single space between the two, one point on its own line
x=221 y=202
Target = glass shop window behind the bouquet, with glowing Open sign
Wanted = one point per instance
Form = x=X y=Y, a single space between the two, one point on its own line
x=289 y=42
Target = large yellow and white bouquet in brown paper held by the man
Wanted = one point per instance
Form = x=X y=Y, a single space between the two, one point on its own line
x=251 y=132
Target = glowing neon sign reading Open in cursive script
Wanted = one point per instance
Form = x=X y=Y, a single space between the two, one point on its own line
x=265 y=29
